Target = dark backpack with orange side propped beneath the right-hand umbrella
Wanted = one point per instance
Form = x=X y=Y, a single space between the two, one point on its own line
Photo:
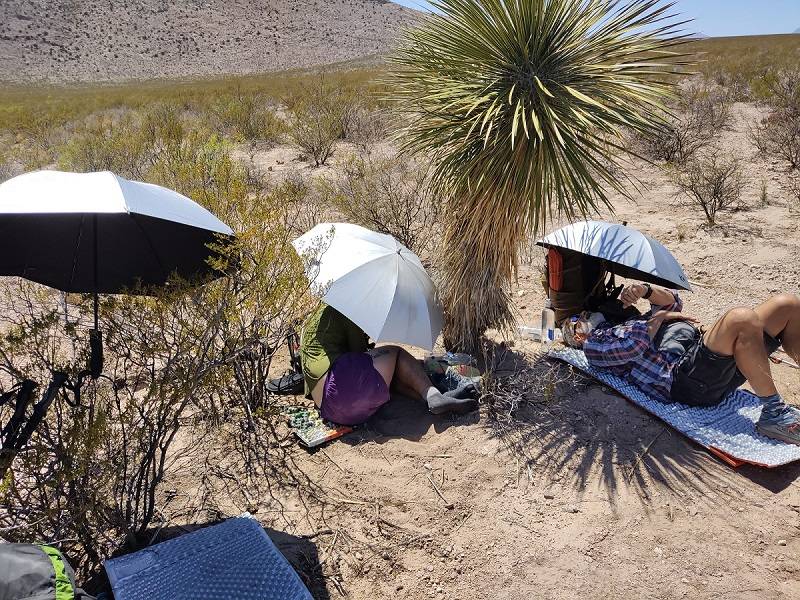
x=576 y=282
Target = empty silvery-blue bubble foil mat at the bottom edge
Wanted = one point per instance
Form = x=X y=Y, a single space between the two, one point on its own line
x=235 y=559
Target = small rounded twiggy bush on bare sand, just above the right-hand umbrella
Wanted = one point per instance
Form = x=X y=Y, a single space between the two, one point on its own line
x=711 y=183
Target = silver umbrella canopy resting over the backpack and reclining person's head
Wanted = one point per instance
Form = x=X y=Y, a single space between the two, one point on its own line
x=627 y=252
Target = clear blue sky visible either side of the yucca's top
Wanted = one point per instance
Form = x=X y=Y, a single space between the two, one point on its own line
x=726 y=17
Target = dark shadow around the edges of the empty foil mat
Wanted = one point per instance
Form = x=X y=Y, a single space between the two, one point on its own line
x=301 y=553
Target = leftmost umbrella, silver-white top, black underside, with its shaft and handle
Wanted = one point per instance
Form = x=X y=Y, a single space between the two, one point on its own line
x=101 y=234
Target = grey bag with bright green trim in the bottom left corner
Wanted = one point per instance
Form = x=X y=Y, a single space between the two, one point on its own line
x=33 y=572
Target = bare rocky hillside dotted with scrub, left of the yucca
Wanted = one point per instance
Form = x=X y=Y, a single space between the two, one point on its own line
x=101 y=40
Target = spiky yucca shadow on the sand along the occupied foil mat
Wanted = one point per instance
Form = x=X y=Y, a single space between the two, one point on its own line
x=574 y=432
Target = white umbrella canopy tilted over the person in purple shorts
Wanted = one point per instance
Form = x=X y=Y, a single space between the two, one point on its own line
x=373 y=280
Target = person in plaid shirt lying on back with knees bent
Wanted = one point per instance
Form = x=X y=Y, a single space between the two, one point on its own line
x=669 y=358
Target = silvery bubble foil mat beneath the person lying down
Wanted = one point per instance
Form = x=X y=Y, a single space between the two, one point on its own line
x=728 y=429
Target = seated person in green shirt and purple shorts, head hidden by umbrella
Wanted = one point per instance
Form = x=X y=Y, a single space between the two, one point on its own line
x=349 y=381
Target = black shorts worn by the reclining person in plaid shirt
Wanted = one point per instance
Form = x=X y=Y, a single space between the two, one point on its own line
x=704 y=378
